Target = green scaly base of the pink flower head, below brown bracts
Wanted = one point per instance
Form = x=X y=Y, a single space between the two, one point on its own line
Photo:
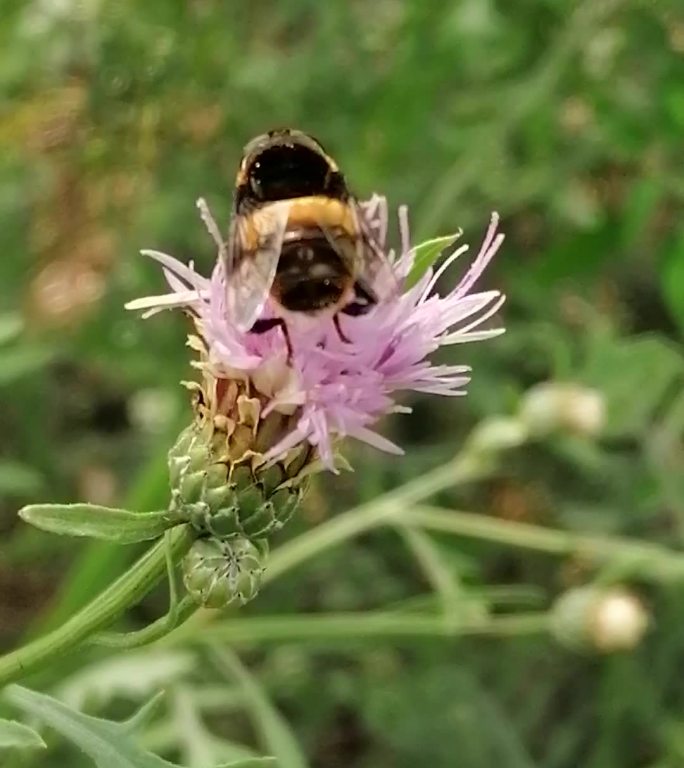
x=222 y=499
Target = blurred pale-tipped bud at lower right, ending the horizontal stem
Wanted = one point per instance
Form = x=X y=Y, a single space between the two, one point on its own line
x=599 y=619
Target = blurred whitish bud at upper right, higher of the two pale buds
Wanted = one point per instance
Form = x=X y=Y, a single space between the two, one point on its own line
x=554 y=406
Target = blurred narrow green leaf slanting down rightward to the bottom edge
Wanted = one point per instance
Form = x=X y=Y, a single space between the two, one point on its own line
x=274 y=731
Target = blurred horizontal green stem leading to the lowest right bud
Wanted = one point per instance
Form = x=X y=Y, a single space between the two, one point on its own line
x=345 y=627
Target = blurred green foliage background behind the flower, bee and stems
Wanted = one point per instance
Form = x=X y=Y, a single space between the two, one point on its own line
x=568 y=119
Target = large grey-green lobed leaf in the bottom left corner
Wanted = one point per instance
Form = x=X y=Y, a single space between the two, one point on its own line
x=109 y=744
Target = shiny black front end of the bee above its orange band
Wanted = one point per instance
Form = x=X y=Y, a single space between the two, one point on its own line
x=285 y=164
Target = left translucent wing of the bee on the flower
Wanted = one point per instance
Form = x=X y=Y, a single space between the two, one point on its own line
x=254 y=247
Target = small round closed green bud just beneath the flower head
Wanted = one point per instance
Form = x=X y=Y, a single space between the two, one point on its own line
x=216 y=573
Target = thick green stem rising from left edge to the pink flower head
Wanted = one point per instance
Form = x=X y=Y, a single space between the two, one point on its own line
x=127 y=590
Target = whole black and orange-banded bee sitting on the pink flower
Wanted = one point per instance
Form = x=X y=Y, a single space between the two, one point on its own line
x=300 y=238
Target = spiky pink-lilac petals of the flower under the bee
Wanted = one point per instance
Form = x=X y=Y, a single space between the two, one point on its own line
x=330 y=388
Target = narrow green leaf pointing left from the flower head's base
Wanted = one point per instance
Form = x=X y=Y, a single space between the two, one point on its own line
x=117 y=525
